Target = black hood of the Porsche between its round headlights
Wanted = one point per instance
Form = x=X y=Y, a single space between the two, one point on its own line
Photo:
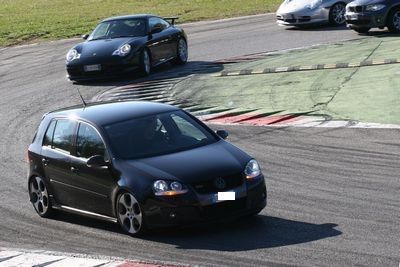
x=102 y=48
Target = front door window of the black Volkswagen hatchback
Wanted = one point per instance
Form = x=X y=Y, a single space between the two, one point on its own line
x=89 y=142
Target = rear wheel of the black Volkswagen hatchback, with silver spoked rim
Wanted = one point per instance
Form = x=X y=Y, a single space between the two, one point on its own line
x=40 y=197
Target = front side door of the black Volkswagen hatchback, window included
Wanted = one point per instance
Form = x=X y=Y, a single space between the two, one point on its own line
x=93 y=184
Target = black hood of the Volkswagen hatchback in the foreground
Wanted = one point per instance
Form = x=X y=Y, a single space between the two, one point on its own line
x=195 y=165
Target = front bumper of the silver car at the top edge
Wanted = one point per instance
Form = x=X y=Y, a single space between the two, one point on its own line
x=307 y=17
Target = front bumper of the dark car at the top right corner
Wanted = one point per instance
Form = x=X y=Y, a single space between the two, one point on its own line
x=366 y=19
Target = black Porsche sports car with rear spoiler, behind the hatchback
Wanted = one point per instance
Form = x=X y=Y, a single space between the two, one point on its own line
x=125 y=44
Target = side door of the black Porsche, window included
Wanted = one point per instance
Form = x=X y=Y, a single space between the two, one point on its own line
x=160 y=40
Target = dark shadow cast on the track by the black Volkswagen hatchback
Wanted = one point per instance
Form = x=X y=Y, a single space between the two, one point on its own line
x=240 y=235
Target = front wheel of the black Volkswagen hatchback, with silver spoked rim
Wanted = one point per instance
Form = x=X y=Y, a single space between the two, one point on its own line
x=129 y=214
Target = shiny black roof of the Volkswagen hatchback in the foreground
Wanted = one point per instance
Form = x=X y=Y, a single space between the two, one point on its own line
x=103 y=113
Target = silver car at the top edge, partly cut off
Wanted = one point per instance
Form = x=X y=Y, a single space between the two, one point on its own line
x=304 y=12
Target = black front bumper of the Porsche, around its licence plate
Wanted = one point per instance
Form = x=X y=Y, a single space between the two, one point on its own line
x=109 y=67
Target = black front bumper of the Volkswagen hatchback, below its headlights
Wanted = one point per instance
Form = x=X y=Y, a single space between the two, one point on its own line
x=196 y=209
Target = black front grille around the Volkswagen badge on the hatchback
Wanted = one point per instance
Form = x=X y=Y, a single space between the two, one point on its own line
x=207 y=187
